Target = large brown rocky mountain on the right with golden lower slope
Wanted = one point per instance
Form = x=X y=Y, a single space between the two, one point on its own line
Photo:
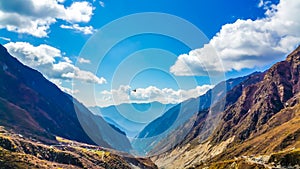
x=258 y=128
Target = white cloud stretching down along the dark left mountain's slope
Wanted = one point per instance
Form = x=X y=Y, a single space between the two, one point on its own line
x=50 y=62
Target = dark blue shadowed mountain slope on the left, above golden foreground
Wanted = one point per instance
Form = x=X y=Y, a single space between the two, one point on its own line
x=35 y=107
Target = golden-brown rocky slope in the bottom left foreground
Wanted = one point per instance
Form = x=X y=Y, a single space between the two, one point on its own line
x=17 y=151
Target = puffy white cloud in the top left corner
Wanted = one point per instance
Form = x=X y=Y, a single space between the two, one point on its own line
x=35 y=17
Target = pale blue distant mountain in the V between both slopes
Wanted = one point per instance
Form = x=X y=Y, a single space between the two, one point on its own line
x=131 y=118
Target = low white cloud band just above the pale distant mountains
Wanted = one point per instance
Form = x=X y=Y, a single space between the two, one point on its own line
x=125 y=94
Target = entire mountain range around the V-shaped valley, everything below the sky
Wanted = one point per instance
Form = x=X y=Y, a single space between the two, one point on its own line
x=246 y=122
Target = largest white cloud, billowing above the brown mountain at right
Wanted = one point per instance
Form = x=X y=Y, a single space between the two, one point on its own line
x=246 y=43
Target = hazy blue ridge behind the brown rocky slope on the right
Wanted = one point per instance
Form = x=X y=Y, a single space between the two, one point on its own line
x=158 y=131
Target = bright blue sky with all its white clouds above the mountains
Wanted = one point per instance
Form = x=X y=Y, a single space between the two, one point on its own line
x=121 y=51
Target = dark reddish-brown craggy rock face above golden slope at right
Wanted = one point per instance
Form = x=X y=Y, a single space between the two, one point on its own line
x=260 y=102
